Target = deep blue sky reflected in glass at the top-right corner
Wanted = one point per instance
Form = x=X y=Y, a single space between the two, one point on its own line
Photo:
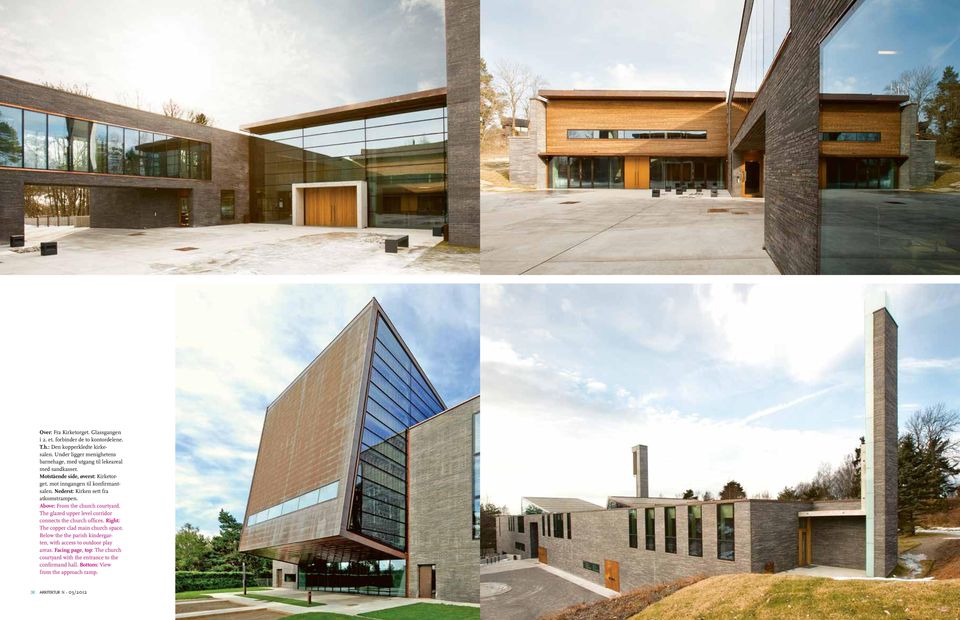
x=911 y=34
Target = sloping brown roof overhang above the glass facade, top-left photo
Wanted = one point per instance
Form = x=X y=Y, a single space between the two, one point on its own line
x=410 y=102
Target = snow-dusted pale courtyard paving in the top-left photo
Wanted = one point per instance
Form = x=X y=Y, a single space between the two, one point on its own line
x=234 y=249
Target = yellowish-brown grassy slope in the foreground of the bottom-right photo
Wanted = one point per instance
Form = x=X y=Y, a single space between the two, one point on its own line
x=763 y=597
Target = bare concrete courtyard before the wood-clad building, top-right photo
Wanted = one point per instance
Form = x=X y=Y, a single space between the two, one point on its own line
x=614 y=232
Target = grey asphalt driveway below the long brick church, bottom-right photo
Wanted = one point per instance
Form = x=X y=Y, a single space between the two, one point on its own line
x=533 y=593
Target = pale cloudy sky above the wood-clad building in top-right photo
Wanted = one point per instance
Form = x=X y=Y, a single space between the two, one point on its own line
x=653 y=44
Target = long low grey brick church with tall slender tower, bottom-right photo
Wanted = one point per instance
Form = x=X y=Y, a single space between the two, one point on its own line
x=641 y=540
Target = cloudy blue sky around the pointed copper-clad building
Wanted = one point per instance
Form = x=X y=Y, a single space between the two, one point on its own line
x=239 y=346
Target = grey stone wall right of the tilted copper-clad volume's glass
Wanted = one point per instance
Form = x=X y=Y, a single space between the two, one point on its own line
x=440 y=500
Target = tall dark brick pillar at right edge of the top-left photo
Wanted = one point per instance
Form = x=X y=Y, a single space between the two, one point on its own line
x=463 y=110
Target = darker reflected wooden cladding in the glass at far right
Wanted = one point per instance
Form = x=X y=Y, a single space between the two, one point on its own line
x=860 y=117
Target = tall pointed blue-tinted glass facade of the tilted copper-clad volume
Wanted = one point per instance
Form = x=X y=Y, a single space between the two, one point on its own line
x=398 y=396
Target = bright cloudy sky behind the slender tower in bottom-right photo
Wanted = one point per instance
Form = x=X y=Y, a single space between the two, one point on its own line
x=758 y=383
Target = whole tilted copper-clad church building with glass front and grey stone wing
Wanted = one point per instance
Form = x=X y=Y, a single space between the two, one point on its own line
x=347 y=491
